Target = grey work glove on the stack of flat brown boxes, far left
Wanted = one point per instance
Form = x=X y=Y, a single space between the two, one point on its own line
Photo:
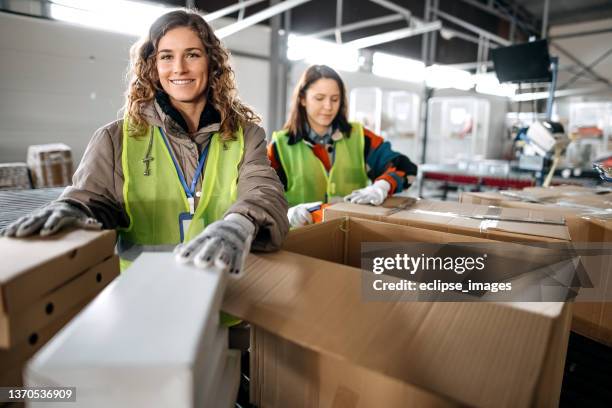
x=50 y=219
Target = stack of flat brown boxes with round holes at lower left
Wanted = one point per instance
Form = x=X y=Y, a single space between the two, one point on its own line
x=44 y=282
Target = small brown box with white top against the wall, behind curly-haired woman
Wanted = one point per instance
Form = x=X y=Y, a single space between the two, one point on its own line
x=50 y=165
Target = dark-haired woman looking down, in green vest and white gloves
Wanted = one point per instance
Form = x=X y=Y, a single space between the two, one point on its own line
x=320 y=157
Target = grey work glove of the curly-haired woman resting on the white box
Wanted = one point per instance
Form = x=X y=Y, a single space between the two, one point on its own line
x=224 y=244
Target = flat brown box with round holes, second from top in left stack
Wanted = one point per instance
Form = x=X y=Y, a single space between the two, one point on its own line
x=20 y=326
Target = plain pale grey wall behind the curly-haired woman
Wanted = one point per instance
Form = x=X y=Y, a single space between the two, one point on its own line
x=60 y=82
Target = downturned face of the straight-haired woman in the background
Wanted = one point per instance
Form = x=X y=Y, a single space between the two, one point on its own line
x=321 y=102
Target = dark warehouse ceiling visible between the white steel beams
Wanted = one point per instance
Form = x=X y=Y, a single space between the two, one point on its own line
x=321 y=14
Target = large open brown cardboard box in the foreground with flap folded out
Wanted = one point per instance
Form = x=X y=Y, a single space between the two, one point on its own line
x=317 y=341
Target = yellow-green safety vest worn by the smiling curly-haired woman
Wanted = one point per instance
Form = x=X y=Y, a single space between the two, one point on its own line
x=153 y=203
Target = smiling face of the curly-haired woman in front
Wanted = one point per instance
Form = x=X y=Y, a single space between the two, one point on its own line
x=182 y=66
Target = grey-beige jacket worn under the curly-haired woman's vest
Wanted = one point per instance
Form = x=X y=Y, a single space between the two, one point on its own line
x=97 y=185
